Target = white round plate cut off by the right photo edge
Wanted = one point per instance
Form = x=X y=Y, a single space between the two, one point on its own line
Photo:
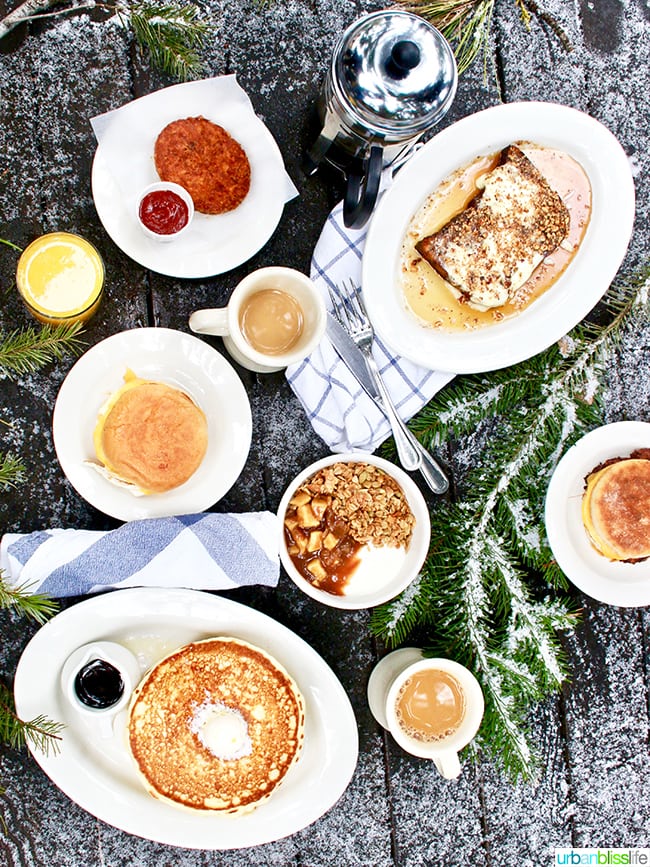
x=623 y=584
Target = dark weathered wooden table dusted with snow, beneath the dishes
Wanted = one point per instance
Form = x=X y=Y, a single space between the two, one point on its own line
x=54 y=76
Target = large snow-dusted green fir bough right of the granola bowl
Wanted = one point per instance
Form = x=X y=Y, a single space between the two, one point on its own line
x=488 y=593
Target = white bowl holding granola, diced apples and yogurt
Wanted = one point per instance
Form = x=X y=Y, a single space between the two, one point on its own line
x=396 y=576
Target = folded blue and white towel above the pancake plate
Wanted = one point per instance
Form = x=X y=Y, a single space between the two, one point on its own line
x=203 y=551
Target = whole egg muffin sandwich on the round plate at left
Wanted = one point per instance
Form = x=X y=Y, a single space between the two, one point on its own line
x=150 y=435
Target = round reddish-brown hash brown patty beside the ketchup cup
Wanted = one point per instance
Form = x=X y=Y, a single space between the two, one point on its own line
x=206 y=160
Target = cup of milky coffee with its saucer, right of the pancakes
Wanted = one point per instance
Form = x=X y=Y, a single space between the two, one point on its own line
x=432 y=707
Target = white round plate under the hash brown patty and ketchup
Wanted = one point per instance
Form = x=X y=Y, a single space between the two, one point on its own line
x=214 y=243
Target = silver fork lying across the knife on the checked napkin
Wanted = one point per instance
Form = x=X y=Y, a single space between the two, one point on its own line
x=351 y=313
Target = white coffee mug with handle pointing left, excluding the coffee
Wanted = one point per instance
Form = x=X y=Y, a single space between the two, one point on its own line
x=224 y=321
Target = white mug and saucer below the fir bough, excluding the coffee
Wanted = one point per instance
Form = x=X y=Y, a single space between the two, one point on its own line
x=386 y=681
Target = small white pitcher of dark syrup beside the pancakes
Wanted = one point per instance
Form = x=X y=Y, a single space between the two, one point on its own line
x=98 y=678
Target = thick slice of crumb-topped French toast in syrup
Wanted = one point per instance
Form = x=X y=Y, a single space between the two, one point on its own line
x=490 y=249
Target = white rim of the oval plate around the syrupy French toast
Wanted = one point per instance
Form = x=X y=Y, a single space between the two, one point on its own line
x=574 y=294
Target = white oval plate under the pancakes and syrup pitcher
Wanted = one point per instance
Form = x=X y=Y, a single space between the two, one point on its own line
x=97 y=772
